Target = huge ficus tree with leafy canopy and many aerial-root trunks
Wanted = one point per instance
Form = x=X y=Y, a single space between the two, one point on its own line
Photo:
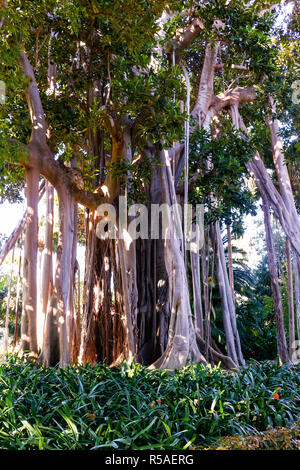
x=102 y=100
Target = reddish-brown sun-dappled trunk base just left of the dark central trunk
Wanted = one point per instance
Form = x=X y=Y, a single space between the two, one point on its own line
x=103 y=334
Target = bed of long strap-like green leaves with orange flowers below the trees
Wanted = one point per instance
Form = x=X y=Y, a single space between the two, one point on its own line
x=95 y=407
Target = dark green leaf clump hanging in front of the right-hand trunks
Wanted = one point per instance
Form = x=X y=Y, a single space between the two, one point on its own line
x=221 y=164
